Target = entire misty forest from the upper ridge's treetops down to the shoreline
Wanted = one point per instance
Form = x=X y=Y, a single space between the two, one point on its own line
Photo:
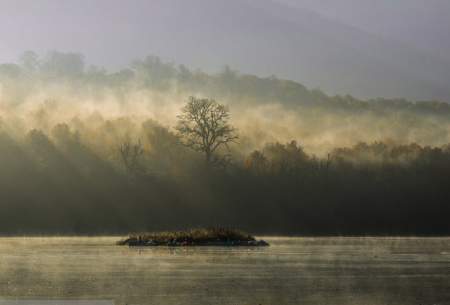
x=159 y=145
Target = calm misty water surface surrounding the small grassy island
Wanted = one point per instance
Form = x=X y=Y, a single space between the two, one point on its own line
x=291 y=271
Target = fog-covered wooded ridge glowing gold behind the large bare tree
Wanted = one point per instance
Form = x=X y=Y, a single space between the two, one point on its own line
x=56 y=87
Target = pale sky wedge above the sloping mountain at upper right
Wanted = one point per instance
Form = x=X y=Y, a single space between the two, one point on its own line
x=423 y=24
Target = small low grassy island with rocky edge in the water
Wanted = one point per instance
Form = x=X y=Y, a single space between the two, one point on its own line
x=194 y=237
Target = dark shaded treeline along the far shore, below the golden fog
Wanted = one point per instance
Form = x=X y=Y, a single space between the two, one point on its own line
x=60 y=182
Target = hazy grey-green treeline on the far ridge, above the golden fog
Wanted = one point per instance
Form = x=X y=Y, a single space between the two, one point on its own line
x=154 y=74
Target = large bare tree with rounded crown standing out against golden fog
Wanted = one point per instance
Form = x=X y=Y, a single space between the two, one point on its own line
x=203 y=126
